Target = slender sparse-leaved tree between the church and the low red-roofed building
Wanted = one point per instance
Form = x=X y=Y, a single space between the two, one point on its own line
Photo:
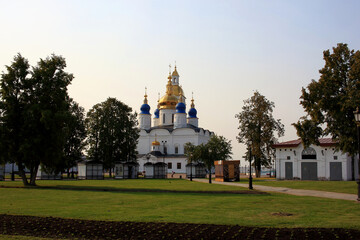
x=257 y=129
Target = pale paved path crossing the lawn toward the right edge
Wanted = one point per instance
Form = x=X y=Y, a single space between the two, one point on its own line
x=298 y=192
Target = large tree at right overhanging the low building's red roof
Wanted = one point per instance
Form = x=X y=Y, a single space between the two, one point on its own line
x=329 y=102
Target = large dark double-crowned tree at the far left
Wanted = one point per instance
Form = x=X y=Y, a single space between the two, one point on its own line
x=34 y=109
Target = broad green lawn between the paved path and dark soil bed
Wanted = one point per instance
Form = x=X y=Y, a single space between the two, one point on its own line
x=242 y=209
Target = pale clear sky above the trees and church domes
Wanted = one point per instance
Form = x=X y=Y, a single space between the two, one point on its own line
x=224 y=50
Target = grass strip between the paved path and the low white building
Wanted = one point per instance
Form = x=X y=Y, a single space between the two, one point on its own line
x=328 y=186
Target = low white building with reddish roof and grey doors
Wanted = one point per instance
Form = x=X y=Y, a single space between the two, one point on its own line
x=322 y=162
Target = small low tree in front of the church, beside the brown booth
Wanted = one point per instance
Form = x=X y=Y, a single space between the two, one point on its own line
x=217 y=148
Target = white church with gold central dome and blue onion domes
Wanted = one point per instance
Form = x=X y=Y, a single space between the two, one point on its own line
x=163 y=138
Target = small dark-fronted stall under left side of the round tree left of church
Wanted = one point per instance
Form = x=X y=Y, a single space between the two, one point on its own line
x=90 y=170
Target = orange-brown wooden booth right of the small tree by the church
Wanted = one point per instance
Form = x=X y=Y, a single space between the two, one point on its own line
x=227 y=170
